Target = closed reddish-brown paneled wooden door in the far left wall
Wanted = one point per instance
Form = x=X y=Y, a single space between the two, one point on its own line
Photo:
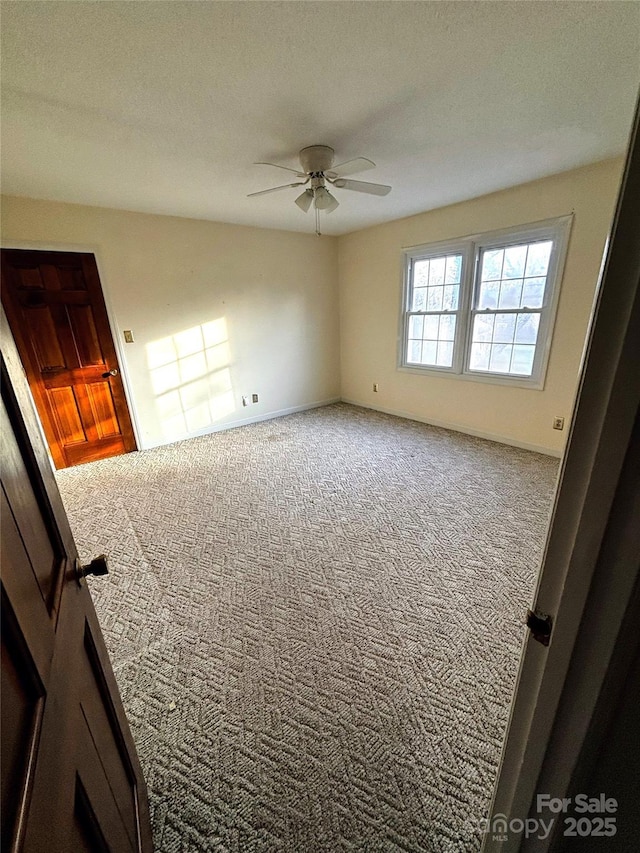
x=56 y=311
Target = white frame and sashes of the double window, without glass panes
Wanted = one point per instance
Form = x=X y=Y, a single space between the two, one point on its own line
x=471 y=249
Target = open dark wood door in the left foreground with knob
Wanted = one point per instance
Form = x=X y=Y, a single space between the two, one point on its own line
x=71 y=780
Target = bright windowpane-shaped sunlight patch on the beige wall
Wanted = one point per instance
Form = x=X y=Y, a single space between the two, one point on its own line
x=191 y=378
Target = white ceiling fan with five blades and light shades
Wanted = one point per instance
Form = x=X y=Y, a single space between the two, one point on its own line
x=317 y=170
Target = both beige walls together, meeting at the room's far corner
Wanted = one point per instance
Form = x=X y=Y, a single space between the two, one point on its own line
x=219 y=311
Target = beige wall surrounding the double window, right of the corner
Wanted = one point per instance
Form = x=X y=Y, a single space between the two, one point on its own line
x=370 y=268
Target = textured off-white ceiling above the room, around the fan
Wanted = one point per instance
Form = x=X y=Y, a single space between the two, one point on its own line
x=164 y=106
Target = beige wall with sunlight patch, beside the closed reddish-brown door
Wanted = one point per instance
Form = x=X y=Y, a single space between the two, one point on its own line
x=218 y=311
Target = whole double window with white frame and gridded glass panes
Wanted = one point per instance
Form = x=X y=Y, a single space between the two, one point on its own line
x=483 y=307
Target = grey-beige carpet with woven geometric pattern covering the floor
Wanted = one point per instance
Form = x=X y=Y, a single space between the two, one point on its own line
x=315 y=623
